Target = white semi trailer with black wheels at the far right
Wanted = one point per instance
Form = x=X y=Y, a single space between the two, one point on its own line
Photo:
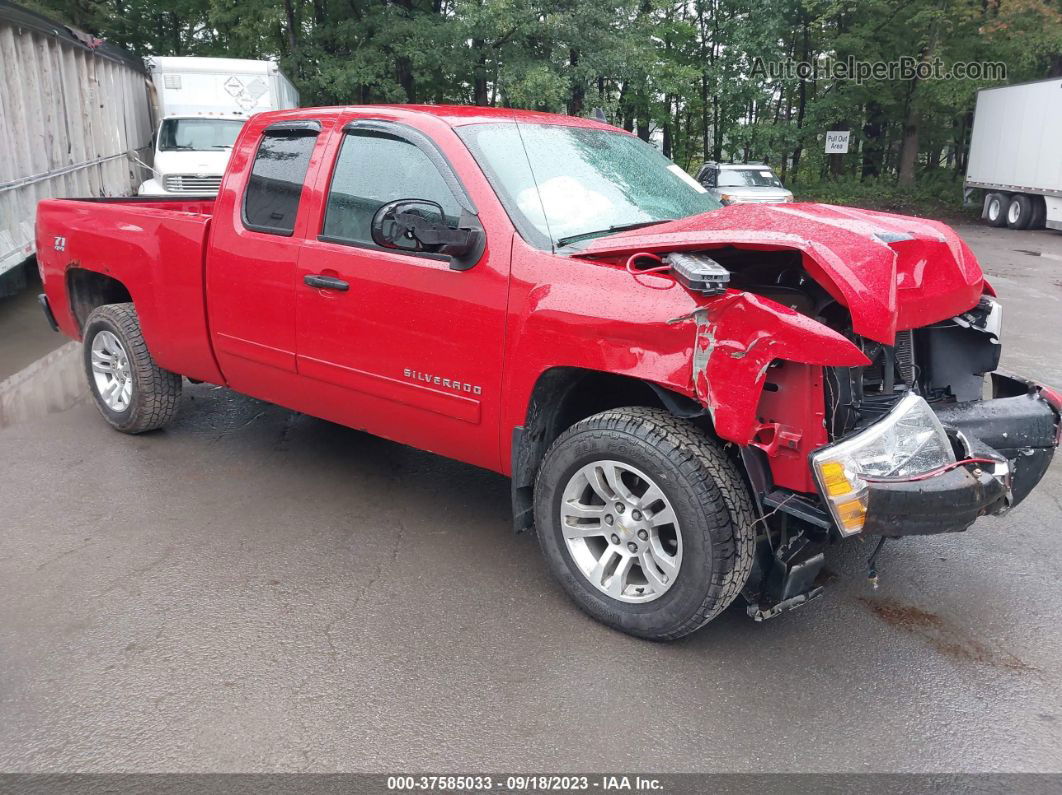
x=1016 y=154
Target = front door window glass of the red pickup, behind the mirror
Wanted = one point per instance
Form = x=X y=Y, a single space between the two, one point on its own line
x=373 y=169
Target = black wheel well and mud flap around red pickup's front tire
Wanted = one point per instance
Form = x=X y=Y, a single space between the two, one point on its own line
x=561 y=397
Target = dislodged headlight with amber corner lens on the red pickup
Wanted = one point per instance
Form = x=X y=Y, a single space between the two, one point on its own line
x=909 y=442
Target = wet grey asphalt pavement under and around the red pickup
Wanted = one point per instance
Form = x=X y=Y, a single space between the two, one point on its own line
x=258 y=591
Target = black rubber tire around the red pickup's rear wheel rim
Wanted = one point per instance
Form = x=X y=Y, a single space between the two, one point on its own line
x=156 y=392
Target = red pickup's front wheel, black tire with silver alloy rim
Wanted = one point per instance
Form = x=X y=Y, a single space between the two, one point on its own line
x=645 y=522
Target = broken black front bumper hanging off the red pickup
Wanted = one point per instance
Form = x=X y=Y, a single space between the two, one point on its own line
x=1018 y=430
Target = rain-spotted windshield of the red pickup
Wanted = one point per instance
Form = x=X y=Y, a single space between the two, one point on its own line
x=576 y=184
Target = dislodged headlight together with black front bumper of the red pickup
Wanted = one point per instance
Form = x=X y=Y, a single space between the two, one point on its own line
x=926 y=470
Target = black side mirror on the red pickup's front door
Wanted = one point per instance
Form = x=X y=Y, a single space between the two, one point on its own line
x=420 y=226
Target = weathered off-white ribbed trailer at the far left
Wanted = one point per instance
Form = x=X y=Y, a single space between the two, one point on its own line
x=75 y=119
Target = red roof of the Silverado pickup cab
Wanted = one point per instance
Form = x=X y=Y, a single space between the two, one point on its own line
x=453 y=115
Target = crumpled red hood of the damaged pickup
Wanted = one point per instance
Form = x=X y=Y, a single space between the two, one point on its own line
x=893 y=272
